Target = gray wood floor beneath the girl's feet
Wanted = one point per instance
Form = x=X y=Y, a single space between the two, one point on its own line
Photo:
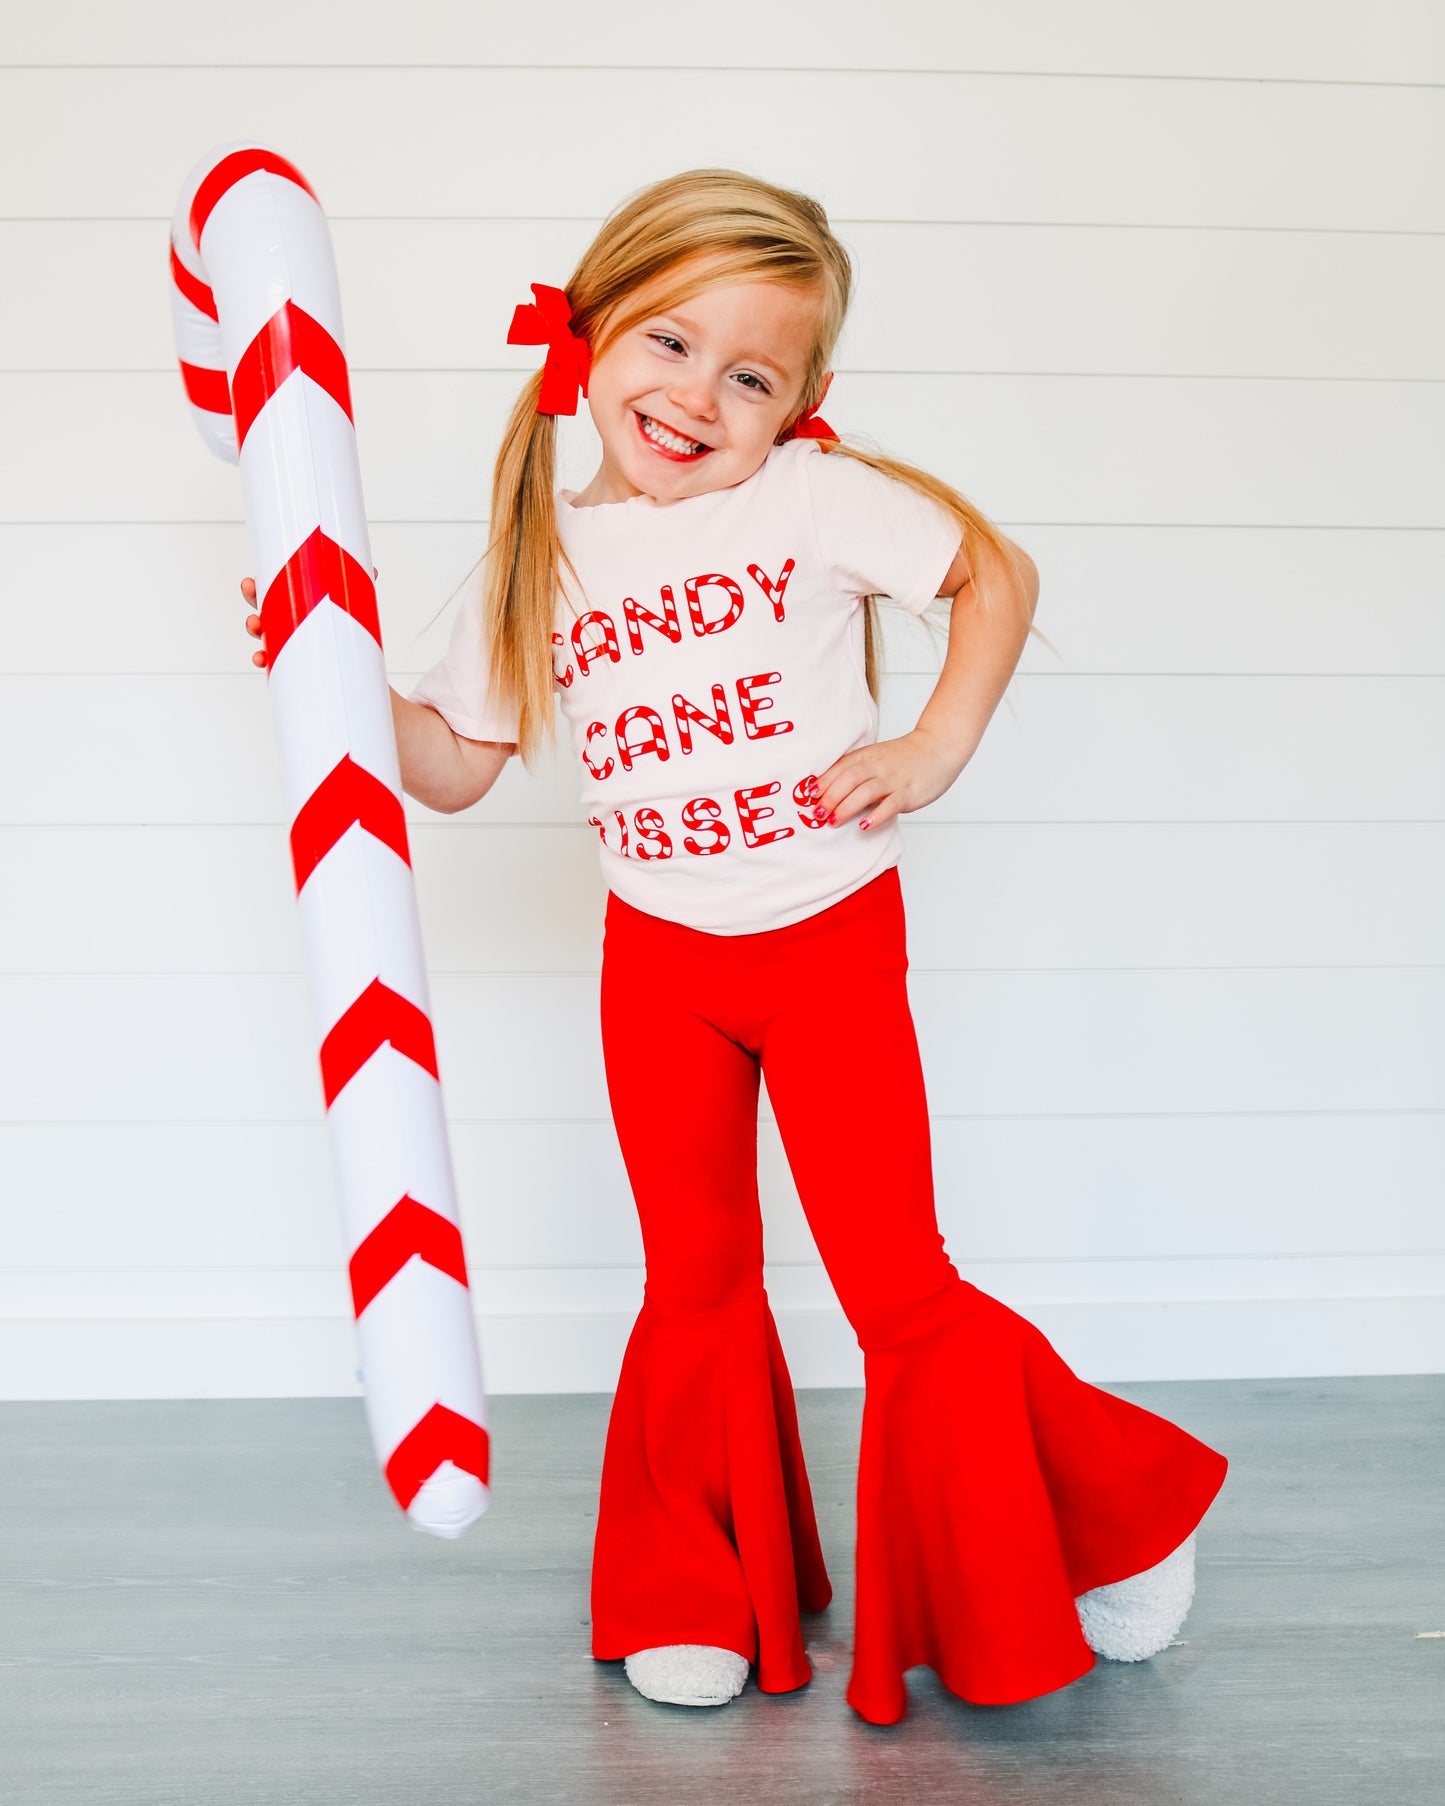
x=218 y=1603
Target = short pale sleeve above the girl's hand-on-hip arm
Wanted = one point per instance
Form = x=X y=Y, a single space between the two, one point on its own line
x=877 y=535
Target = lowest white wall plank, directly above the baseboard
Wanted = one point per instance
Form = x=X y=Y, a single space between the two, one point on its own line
x=252 y=1198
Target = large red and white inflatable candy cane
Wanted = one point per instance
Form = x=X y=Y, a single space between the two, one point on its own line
x=259 y=335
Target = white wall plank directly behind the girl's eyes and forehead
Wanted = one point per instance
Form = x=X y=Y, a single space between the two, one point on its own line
x=1141 y=301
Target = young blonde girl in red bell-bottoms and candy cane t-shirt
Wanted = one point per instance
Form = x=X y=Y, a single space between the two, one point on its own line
x=704 y=611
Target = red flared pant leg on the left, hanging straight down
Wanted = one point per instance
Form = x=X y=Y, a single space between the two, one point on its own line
x=705 y=1518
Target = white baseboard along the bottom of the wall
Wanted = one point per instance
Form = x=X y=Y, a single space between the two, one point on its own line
x=315 y=1357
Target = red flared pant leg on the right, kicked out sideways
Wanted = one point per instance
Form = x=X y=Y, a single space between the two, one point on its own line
x=994 y=1485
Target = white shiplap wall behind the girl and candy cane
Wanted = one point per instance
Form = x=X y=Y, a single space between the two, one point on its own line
x=1159 y=286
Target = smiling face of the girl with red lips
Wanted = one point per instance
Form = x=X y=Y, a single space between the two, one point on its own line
x=691 y=400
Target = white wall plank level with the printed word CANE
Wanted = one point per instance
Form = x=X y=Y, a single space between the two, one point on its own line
x=111 y=750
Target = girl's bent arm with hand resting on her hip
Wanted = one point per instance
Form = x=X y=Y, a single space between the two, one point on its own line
x=893 y=777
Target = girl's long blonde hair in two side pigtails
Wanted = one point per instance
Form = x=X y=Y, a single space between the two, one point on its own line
x=662 y=247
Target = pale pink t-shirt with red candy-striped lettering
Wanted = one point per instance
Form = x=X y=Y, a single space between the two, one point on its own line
x=713 y=666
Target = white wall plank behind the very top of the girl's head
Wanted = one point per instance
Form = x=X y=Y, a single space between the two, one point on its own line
x=938 y=147
